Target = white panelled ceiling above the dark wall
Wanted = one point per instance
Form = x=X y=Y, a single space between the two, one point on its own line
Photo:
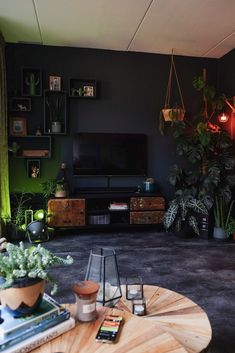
x=202 y=28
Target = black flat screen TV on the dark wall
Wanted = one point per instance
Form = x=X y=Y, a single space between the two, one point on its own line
x=110 y=154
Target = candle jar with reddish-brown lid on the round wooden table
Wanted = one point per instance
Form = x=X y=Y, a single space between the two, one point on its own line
x=85 y=294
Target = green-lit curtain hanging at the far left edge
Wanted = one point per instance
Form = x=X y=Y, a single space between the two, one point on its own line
x=5 y=210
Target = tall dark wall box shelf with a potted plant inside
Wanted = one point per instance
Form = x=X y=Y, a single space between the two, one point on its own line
x=55 y=112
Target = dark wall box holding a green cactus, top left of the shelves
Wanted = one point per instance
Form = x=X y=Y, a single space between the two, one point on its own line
x=31 y=82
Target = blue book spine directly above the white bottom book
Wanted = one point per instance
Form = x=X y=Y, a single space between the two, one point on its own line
x=42 y=326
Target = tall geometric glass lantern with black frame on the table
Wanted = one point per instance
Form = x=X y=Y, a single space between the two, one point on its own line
x=103 y=269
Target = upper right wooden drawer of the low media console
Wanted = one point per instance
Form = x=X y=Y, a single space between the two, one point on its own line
x=147 y=203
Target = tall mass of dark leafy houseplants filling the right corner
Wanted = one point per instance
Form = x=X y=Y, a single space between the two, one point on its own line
x=209 y=150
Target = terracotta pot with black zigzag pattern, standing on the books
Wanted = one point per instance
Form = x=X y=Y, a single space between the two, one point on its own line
x=24 y=297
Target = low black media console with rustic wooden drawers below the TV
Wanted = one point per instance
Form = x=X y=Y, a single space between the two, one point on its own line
x=106 y=208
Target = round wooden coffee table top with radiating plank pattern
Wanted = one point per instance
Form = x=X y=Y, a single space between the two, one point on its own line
x=173 y=324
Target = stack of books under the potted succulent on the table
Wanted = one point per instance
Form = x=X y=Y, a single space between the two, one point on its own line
x=26 y=333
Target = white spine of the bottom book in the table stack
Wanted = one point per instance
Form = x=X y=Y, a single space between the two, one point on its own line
x=42 y=337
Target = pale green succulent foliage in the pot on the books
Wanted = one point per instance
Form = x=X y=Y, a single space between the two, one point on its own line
x=32 y=262
